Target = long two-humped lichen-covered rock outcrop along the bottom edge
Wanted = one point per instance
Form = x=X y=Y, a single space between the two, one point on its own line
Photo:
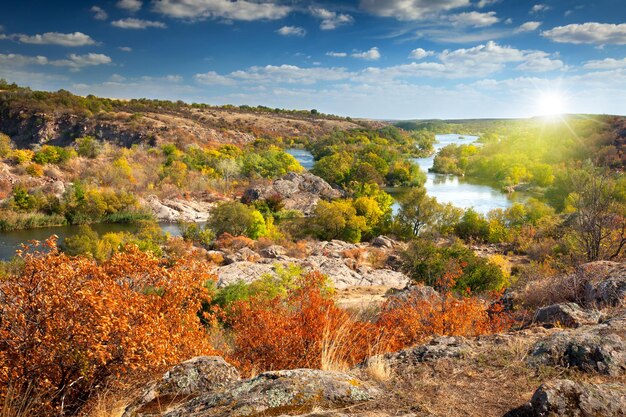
x=209 y=387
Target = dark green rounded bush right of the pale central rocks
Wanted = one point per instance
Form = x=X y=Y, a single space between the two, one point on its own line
x=425 y=262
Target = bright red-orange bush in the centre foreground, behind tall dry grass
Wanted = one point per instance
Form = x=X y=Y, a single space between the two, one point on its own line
x=291 y=333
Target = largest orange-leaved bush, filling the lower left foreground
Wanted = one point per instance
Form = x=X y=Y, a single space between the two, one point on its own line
x=69 y=325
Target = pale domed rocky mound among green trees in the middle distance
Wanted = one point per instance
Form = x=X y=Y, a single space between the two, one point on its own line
x=297 y=192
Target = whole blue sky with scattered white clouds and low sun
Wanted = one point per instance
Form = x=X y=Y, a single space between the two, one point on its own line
x=383 y=59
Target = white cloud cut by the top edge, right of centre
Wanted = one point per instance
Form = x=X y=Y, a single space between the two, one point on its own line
x=410 y=9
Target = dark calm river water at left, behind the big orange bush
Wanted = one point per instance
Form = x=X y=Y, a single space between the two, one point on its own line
x=11 y=241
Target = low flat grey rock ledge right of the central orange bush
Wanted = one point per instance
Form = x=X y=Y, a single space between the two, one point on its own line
x=437 y=348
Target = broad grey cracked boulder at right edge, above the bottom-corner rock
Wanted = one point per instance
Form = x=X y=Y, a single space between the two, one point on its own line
x=599 y=348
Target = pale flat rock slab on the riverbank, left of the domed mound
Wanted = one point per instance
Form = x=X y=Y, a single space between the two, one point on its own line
x=175 y=210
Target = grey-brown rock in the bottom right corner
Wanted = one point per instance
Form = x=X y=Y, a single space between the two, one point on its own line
x=576 y=399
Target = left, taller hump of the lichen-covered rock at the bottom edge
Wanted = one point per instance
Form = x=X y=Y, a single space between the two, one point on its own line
x=197 y=376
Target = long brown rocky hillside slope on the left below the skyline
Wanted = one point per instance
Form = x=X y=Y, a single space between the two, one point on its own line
x=28 y=126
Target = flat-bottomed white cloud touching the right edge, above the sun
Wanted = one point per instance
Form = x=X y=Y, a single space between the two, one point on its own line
x=590 y=33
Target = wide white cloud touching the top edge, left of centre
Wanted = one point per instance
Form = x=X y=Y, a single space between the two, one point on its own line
x=225 y=9
